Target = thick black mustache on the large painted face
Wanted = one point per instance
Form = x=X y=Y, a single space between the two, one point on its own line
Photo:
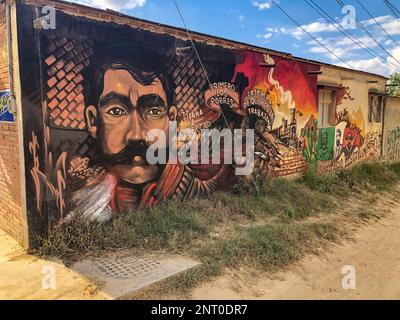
x=125 y=156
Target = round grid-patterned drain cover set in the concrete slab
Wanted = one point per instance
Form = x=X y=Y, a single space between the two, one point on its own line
x=127 y=267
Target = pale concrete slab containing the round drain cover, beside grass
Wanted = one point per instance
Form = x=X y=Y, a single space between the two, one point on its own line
x=122 y=274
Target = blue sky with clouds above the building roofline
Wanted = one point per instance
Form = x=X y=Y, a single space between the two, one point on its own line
x=262 y=23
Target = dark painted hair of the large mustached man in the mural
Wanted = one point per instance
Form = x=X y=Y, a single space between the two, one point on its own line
x=144 y=67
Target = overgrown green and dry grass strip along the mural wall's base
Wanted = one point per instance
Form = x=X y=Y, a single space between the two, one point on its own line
x=265 y=228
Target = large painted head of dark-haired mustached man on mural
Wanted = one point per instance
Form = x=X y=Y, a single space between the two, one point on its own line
x=127 y=94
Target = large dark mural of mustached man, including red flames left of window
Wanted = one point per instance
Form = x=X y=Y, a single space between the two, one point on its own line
x=105 y=86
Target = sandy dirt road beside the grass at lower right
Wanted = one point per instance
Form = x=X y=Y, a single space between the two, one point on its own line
x=374 y=251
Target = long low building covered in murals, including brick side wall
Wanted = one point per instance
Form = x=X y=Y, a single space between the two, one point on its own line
x=83 y=87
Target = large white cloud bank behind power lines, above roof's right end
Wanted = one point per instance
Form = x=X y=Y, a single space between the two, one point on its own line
x=345 y=48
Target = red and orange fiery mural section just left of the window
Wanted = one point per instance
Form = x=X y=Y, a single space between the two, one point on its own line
x=292 y=95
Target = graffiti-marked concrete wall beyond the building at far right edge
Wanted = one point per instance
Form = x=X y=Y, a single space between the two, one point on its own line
x=391 y=138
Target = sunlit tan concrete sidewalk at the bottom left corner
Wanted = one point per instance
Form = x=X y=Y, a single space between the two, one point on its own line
x=24 y=276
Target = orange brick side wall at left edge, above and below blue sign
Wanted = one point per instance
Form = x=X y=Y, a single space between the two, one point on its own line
x=10 y=195
